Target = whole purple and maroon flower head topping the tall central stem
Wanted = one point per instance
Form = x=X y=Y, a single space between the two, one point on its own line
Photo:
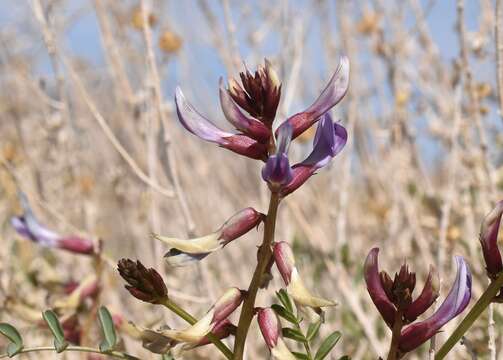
x=258 y=95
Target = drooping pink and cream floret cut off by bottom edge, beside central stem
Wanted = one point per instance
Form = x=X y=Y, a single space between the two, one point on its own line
x=270 y=326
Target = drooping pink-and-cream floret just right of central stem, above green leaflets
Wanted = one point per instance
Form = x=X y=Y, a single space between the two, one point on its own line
x=285 y=261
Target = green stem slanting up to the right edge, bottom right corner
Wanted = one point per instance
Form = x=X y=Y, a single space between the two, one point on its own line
x=477 y=309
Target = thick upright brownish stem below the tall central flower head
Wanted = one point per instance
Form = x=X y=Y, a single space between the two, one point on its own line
x=264 y=257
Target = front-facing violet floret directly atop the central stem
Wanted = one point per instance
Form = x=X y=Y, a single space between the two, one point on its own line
x=277 y=171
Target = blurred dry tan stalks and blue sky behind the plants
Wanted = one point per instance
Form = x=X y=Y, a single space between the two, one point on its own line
x=88 y=131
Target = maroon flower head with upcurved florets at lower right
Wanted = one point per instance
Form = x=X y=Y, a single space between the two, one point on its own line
x=390 y=296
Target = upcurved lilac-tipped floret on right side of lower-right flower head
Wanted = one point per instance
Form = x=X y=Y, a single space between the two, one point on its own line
x=455 y=302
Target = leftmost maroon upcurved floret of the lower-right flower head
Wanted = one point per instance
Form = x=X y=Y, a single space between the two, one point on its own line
x=375 y=288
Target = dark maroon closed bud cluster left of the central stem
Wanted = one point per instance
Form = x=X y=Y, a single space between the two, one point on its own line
x=144 y=284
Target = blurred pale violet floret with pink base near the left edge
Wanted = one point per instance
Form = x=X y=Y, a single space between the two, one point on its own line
x=28 y=226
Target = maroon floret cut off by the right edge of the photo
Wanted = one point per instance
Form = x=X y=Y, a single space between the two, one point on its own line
x=489 y=240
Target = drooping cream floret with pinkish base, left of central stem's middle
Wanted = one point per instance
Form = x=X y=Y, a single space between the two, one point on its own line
x=183 y=252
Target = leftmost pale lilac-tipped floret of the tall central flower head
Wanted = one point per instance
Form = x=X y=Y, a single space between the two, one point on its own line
x=198 y=125
